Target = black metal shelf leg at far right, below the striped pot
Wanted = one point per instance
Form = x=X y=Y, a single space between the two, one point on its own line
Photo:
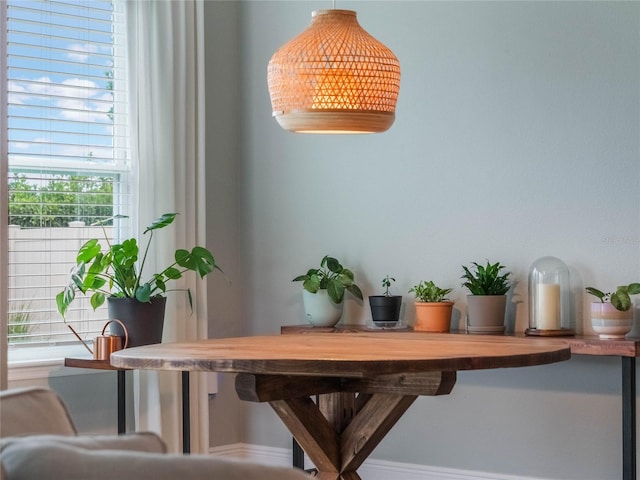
x=628 y=418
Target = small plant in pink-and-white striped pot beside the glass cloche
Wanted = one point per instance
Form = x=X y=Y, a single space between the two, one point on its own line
x=612 y=316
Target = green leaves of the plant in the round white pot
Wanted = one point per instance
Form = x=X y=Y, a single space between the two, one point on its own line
x=331 y=276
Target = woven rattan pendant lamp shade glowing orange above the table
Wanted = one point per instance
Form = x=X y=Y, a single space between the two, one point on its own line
x=334 y=78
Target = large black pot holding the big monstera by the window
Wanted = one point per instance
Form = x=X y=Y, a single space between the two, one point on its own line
x=144 y=321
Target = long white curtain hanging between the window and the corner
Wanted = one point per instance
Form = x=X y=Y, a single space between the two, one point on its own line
x=167 y=133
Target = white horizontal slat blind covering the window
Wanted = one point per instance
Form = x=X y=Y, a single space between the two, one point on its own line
x=68 y=164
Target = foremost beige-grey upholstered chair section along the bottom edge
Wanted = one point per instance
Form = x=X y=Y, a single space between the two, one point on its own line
x=56 y=461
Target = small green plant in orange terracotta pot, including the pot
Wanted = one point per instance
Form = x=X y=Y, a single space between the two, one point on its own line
x=433 y=309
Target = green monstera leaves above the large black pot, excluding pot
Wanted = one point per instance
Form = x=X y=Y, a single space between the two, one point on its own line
x=115 y=270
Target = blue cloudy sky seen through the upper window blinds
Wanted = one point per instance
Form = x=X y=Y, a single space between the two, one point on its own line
x=61 y=67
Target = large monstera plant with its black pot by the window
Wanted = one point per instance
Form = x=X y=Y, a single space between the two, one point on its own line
x=115 y=273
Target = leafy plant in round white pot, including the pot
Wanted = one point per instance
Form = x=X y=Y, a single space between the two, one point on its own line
x=323 y=291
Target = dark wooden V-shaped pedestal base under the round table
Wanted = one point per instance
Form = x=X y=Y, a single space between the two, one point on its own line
x=350 y=417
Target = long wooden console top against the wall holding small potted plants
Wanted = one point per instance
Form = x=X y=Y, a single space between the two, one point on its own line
x=580 y=344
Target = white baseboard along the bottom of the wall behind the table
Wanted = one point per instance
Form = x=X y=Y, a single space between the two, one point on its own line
x=372 y=469
